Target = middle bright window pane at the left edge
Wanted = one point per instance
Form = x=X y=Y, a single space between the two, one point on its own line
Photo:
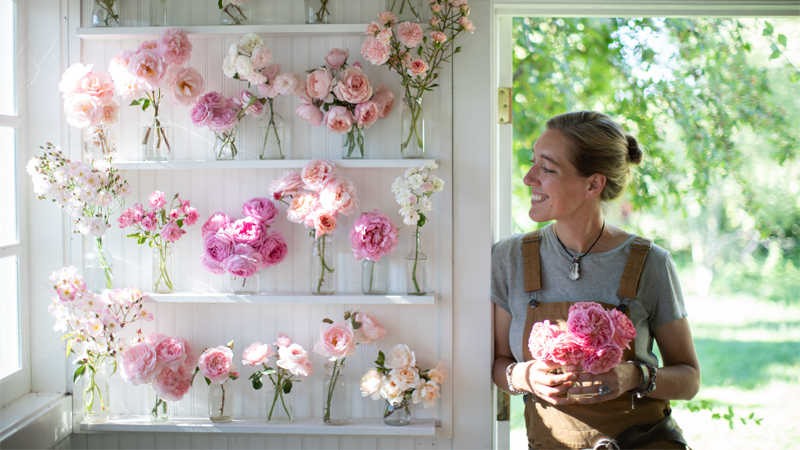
x=8 y=186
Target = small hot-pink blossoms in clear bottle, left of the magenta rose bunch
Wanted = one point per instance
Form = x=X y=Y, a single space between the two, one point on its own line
x=160 y=227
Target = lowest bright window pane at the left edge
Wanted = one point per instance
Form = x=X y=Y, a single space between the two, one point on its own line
x=9 y=316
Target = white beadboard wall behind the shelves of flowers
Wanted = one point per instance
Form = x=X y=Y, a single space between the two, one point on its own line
x=427 y=329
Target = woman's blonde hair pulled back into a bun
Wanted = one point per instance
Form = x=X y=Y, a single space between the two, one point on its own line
x=599 y=145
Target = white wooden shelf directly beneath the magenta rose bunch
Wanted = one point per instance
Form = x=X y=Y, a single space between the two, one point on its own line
x=278 y=298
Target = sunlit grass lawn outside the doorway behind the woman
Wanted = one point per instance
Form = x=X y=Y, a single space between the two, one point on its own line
x=750 y=358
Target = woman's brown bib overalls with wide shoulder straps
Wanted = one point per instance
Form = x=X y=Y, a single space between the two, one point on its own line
x=582 y=425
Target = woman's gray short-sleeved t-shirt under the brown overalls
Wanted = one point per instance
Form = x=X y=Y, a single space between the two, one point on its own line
x=658 y=301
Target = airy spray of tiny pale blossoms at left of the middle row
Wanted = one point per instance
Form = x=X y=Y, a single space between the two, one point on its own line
x=86 y=192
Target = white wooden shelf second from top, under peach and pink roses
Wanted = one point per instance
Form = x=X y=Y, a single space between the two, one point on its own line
x=268 y=164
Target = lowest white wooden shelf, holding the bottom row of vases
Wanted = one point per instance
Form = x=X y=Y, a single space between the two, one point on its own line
x=259 y=425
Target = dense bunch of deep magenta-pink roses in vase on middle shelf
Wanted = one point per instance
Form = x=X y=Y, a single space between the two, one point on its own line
x=245 y=246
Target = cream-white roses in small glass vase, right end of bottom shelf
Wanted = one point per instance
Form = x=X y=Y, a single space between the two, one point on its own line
x=292 y=361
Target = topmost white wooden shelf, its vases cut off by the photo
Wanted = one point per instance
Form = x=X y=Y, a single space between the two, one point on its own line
x=213 y=31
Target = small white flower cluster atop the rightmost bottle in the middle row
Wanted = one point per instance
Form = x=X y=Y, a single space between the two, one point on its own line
x=413 y=192
